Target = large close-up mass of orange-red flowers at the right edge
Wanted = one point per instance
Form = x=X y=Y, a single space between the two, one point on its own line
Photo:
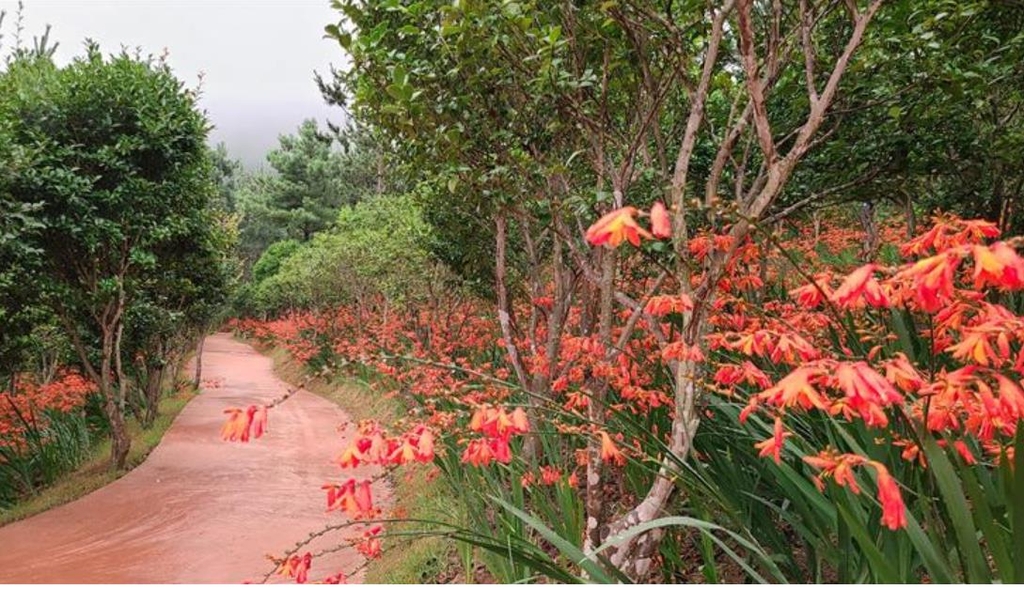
x=983 y=400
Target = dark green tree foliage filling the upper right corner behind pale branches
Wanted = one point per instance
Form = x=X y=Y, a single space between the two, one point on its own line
x=932 y=120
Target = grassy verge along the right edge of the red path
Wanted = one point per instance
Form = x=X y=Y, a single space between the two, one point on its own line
x=416 y=494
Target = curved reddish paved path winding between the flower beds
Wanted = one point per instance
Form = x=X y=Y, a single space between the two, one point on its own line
x=199 y=510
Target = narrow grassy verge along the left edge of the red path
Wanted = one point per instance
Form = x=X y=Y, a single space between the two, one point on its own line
x=96 y=472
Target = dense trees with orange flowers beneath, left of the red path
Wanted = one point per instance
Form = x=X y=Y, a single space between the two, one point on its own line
x=114 y=260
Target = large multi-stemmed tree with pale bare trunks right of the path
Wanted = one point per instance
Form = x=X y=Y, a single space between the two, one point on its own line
x=537 y=118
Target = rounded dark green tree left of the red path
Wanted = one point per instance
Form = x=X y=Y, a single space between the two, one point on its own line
x=115 y=154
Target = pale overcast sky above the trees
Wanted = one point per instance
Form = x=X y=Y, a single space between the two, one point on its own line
x=259 y=57
